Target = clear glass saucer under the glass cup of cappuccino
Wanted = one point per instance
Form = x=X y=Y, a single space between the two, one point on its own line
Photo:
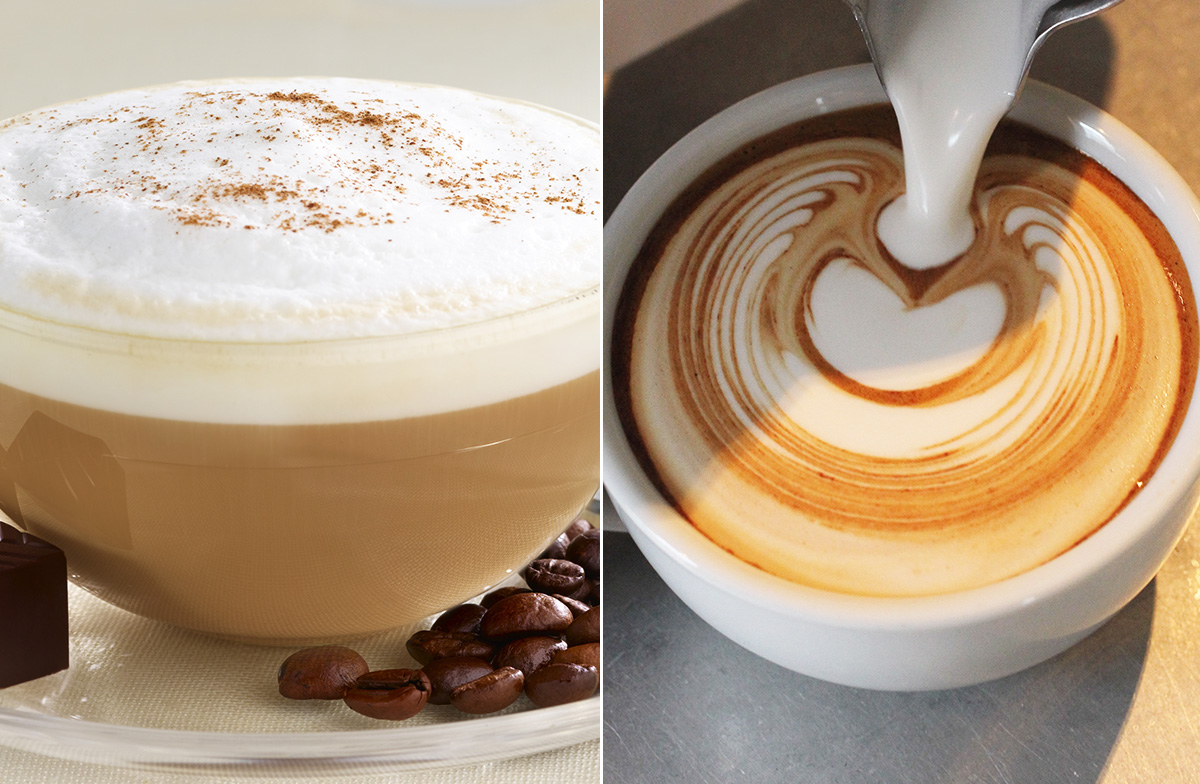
x=142 y=695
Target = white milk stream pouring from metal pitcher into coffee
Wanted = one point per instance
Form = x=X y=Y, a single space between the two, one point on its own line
x=952 y=70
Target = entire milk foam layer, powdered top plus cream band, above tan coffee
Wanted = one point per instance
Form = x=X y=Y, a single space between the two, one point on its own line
x=297 y=252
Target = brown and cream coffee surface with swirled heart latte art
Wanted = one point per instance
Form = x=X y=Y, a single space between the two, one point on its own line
x=839 y=421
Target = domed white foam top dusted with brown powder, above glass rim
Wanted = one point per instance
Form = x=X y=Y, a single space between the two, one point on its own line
x=295 y=210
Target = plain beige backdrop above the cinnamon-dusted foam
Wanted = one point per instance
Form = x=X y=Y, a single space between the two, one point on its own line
x=543 y=51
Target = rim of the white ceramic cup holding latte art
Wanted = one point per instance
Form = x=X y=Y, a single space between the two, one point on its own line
x=649 y=514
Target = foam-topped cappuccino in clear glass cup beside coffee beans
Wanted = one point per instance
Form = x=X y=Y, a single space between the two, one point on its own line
x=273 y=354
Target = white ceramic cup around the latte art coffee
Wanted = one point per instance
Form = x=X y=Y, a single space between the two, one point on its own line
x=904 y=644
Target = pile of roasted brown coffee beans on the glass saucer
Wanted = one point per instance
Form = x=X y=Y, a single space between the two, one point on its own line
x=541 y=641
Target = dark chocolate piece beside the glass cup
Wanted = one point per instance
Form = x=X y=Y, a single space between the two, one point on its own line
x=33 y=608
